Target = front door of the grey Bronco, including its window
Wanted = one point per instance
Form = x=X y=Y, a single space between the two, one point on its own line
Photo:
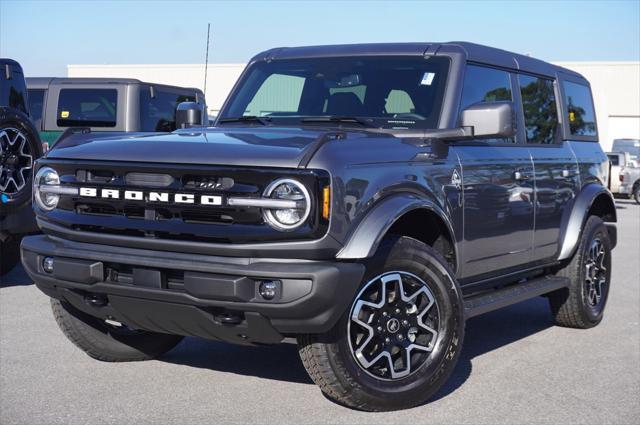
x=497 y=183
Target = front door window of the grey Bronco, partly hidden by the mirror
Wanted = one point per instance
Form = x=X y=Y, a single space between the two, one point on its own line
x=485 y=85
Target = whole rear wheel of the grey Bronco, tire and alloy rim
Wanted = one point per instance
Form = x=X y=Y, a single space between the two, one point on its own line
x=582 y=304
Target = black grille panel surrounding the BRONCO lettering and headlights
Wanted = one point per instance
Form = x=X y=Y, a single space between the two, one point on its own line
x=174 y=221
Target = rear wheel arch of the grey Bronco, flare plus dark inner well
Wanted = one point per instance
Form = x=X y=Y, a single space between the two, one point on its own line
x=595 y=200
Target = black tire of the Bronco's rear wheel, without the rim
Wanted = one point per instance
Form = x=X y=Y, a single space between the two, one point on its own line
x=569 y=306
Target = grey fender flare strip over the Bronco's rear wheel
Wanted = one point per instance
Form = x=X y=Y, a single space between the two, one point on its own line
x=575 y=219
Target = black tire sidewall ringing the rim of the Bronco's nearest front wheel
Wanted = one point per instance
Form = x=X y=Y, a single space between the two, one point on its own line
x=408 y=255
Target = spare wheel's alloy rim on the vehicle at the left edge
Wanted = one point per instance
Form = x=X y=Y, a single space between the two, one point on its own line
x=16 y=160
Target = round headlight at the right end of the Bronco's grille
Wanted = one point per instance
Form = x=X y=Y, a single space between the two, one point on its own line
x=287 y=218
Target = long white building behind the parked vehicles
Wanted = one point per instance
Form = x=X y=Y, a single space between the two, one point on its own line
x=616 y=88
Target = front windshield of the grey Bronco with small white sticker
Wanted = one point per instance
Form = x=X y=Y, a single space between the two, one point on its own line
x=387 y=92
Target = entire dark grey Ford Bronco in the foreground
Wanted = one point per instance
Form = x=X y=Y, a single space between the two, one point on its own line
x=364 y=199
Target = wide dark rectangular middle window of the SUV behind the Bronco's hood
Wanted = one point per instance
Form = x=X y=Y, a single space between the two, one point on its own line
x=87 y=108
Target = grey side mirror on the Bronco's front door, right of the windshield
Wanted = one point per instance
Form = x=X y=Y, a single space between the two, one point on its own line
x=490 y=119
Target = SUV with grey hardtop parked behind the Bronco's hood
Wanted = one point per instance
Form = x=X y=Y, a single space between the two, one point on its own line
x=105 y=105
